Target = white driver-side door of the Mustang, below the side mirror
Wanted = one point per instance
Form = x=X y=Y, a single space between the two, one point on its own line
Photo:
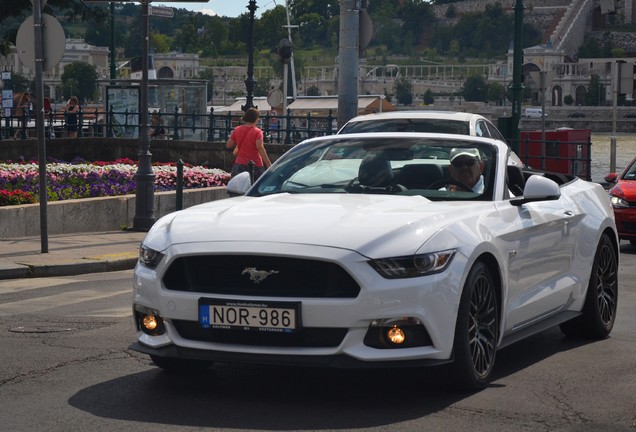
x=539 y=238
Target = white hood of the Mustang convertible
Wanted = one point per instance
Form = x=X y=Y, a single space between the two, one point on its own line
x=364 y=223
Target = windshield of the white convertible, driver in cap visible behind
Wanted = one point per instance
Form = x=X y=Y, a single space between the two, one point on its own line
x=385 y=165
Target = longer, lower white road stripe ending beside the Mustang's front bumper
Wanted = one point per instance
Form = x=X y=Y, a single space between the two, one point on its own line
x=49 y=302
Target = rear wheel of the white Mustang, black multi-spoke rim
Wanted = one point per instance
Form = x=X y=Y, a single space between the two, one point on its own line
x=601 y=299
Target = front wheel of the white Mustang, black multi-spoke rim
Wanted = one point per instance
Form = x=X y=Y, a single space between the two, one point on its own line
x=477 y=331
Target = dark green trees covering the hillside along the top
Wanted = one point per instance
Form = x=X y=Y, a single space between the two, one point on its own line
x=401 y=28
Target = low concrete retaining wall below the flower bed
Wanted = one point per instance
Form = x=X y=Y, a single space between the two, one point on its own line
x=93 y=214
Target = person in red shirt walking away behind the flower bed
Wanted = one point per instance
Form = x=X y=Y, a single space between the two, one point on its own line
x=246 y=141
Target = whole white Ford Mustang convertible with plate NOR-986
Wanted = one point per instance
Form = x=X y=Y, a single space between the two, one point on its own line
x=379 y=250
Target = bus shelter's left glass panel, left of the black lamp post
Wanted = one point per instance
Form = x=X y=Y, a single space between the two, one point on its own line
x=124 y=105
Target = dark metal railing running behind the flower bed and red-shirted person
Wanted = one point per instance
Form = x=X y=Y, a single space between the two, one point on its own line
x=176 y=125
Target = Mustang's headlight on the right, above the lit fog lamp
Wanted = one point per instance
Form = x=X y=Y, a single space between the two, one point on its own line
x=414 y=265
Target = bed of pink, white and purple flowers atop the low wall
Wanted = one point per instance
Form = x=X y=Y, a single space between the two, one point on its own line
x=20 y=184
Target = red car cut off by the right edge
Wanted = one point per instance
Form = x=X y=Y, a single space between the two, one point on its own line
x=623 y=198
